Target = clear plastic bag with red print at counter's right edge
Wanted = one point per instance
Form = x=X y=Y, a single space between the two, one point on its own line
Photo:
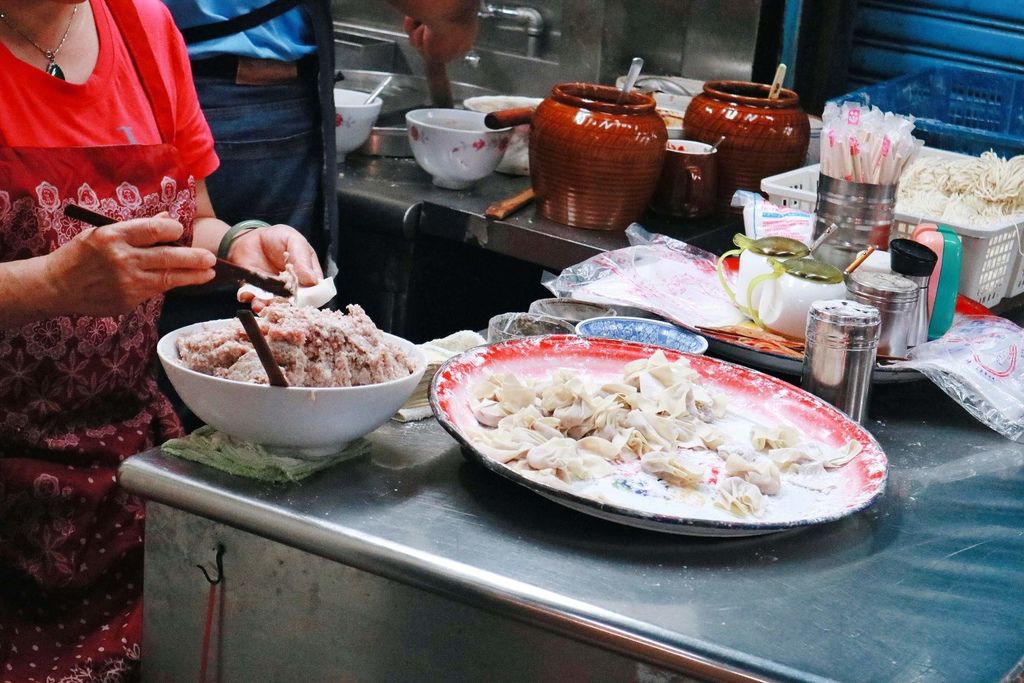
x=980 y=364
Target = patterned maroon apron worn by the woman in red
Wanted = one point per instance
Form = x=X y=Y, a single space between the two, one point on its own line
x=78 y=396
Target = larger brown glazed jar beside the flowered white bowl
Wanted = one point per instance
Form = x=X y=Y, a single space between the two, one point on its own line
x=593 y=163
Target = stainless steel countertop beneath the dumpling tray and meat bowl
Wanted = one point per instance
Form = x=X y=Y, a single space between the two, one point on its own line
x=926 y=586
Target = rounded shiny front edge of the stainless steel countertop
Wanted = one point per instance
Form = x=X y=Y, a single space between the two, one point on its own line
x=527 y=604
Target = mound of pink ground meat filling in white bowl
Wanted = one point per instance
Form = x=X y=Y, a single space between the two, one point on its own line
x=315 y=349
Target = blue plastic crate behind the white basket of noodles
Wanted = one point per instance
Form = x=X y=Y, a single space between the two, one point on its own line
x=969 y=111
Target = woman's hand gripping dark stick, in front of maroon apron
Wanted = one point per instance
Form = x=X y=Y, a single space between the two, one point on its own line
x=112 y=270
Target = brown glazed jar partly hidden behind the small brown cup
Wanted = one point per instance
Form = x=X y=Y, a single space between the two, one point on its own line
x=762 y=137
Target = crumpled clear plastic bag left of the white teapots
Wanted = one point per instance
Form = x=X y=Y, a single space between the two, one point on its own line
x=666 y=277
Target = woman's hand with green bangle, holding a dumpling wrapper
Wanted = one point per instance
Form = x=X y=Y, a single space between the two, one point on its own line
x=271 y=249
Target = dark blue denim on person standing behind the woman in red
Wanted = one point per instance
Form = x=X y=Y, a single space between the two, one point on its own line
x=269 y=141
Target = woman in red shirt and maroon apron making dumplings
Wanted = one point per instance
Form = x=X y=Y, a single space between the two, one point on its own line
x=99 y=110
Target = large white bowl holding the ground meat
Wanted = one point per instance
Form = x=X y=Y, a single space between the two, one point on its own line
x=312 y=422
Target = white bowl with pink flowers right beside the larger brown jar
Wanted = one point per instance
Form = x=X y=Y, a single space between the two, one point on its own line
x=455 y=147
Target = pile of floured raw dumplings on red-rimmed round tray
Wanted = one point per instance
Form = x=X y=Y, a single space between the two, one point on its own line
x=570 y=429
